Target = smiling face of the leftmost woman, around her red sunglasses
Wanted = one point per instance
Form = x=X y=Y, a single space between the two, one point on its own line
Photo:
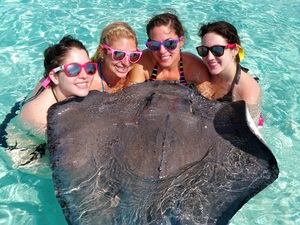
x=78 y=85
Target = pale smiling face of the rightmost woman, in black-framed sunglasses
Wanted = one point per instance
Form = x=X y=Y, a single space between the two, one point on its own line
x=215 y=64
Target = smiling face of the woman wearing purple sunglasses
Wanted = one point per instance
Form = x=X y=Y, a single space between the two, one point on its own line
x=164 y=57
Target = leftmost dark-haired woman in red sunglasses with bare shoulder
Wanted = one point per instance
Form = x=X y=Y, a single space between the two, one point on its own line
x=68 y=72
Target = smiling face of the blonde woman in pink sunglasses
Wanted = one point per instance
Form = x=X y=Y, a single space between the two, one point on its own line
x=119 y=68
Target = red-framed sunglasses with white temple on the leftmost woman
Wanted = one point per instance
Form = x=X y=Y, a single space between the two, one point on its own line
x=74 y=69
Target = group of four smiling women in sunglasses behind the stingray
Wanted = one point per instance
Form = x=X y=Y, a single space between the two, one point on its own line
x=118 y=63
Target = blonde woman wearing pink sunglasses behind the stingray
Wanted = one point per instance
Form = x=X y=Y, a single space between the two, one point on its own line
x=116 y=54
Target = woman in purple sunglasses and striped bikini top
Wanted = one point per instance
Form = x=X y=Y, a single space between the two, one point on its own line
x=163 y=60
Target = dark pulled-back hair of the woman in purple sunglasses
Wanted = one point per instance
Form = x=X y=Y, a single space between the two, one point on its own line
x=166 y=19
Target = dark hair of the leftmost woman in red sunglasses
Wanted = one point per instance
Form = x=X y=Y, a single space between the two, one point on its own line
x=55 y=54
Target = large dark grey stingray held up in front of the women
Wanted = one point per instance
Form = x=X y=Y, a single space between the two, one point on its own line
x=155 y=153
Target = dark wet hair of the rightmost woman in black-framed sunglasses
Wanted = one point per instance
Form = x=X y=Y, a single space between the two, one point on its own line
x=224 y=29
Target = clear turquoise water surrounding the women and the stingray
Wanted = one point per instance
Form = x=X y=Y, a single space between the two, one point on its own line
x=270 y=36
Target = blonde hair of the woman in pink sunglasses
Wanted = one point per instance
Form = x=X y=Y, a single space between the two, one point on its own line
x=113 y=32
